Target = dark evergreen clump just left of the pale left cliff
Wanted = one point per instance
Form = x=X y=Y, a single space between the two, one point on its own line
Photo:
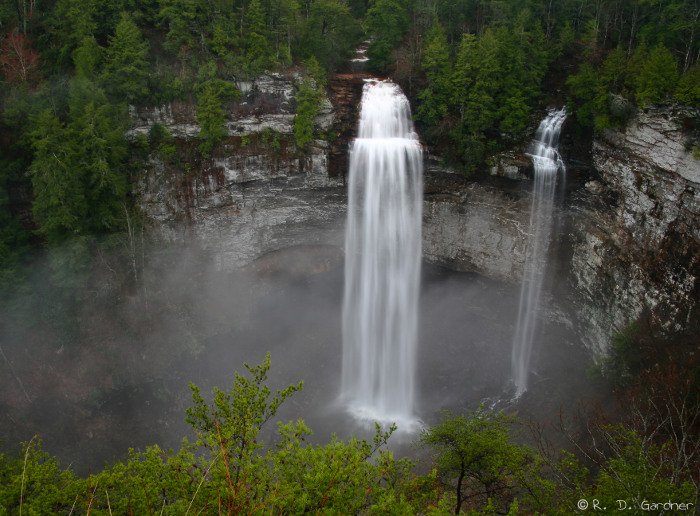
x=77 y=175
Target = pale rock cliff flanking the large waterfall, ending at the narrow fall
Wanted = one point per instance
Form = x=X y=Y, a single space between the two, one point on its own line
x=259 y=194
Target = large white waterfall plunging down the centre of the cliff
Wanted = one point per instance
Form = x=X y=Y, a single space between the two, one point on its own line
x=382 y=265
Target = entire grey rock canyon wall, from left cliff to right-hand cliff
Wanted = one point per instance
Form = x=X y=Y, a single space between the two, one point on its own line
x=628 y=241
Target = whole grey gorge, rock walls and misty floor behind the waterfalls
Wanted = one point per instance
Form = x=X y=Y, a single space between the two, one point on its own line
x=259 y=234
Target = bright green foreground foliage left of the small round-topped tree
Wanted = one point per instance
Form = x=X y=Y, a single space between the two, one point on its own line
x=236 y=473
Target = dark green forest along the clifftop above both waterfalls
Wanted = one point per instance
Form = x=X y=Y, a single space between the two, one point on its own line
x=475 y=70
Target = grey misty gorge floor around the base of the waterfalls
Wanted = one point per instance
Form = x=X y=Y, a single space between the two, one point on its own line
x=125 y=382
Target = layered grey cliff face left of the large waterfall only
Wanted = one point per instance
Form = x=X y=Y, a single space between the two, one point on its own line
x=258 y=193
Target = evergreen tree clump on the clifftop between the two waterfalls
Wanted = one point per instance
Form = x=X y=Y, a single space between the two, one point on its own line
x=482 y=101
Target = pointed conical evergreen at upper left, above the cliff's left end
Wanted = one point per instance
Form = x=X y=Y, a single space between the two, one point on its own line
x=126 y=66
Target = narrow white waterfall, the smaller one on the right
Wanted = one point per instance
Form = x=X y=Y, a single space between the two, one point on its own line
x=547 y=163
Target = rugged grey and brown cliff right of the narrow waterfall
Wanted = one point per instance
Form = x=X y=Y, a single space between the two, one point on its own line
x=637 y=229
